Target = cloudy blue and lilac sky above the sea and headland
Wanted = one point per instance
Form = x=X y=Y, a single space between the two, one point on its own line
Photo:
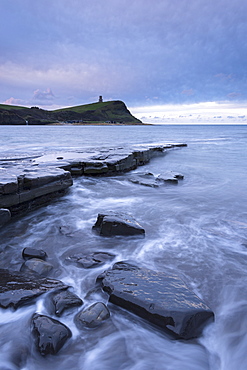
x=168 y=60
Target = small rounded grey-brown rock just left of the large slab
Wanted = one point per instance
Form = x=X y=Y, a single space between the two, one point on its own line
x=93 y=316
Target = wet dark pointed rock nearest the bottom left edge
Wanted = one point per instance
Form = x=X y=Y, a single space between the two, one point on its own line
x=50 y=334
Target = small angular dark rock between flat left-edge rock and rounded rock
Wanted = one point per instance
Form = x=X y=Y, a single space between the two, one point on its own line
x=63 y=299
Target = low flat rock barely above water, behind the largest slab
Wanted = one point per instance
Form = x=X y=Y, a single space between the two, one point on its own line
x=92 y=260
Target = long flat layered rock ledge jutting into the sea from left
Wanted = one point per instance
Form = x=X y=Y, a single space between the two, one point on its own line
x=29 y=182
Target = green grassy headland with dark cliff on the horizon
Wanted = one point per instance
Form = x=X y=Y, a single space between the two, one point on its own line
x=110 y=112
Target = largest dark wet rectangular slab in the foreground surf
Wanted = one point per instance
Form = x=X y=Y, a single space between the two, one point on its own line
x=160 y=298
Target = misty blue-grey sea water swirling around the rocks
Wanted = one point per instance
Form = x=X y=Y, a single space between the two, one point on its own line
x=197 y=229
